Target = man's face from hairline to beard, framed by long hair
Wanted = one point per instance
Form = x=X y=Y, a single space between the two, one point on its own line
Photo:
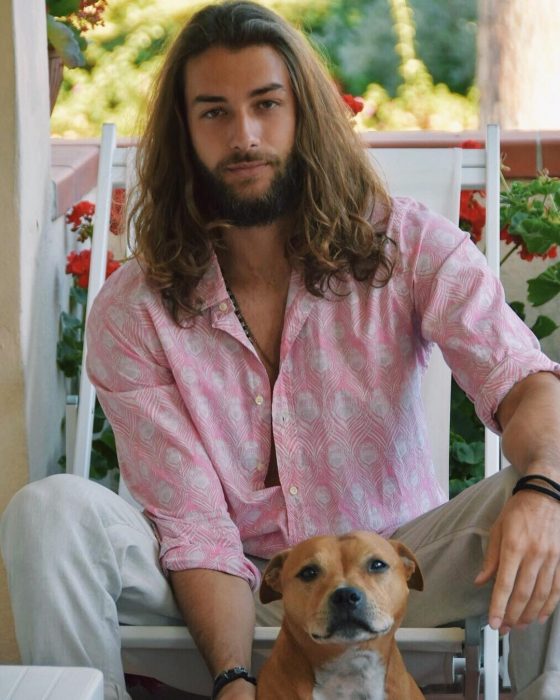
x=242 y=119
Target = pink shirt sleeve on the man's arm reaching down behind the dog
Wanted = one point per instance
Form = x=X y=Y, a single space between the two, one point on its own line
x=160 y=455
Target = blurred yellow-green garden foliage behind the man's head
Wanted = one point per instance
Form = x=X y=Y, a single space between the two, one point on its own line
x=356 y=37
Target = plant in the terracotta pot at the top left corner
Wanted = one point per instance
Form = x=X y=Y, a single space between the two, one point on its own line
x=67 y=21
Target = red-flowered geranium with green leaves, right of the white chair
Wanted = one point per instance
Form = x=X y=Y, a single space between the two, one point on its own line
x=530 y=224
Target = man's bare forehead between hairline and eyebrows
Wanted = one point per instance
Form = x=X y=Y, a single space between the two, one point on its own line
x=234 y=74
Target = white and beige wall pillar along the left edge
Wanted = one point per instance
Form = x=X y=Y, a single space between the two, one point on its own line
x=30 y=274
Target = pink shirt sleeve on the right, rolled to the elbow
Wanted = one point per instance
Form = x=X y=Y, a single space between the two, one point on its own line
x=462 y=308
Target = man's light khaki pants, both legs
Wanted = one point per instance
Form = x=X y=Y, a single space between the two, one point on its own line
x=80 y=560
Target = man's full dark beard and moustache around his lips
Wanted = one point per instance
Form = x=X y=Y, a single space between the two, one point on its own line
x=218 y=200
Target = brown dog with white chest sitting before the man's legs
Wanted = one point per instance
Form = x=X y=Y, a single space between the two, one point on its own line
x=344 y=598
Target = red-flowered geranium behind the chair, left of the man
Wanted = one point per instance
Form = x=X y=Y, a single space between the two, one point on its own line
x=72 y=325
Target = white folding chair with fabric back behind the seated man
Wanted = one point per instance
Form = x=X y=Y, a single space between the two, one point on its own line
x=433 y=176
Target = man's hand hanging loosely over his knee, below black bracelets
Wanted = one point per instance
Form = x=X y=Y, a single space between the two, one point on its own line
x=524 y=557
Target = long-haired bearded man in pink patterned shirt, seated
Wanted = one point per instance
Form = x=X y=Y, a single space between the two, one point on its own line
x=260 y=363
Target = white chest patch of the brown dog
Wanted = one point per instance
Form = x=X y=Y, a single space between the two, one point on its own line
x=356 y=675
